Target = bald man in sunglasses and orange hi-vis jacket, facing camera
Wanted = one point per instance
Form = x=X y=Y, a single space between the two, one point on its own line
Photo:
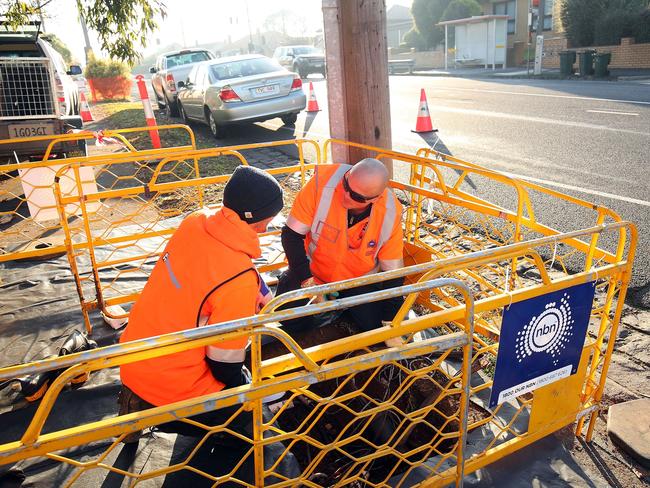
x=345 y=223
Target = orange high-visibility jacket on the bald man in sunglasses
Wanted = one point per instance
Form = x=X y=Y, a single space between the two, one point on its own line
x=335 y=251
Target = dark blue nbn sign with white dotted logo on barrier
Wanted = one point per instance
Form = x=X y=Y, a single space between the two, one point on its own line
x=541 y=341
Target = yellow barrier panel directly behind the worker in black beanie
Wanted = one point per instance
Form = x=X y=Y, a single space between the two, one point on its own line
x=125 y=225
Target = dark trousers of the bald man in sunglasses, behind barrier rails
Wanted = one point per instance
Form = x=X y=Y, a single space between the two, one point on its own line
x=367 y=316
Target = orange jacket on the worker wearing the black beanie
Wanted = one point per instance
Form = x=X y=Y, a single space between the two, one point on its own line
x=210 y=249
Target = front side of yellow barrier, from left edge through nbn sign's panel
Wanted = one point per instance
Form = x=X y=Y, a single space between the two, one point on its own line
x=444 y=310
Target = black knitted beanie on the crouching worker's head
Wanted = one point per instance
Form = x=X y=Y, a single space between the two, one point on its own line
x=253 y=194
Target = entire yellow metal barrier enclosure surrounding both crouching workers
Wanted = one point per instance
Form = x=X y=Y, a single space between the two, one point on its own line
x=491 y=255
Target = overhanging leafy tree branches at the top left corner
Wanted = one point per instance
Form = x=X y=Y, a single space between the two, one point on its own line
x=121 y=25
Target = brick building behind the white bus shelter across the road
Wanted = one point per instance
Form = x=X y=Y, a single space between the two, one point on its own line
x=518 y=29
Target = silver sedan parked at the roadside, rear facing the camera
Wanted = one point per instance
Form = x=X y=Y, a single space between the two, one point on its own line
x=246 y=88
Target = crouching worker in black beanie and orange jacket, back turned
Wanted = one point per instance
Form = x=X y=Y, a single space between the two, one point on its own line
x=205 y=275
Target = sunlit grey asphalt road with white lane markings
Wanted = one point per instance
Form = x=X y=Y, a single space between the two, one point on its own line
x=584 y=138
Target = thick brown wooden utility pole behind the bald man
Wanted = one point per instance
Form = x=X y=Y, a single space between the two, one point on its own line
x=357 y=75
